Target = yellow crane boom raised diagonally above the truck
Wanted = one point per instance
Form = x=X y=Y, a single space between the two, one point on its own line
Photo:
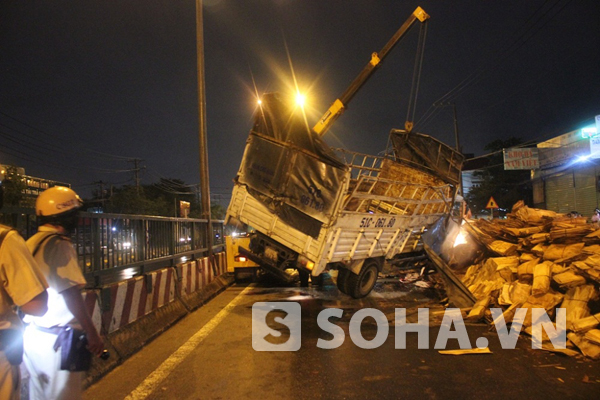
x=340 y=104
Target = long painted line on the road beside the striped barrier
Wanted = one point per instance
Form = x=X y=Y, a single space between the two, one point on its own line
x=153 y=380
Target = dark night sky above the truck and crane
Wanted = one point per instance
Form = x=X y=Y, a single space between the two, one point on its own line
x=87 y=86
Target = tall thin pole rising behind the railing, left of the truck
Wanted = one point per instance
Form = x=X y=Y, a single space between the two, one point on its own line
x=204 y=182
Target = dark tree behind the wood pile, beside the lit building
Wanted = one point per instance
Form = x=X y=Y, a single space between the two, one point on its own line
x=506 y=187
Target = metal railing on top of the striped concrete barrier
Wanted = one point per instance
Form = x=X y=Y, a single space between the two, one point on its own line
x=114 y=247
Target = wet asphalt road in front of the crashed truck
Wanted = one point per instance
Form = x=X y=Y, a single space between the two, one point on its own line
x=209 y=355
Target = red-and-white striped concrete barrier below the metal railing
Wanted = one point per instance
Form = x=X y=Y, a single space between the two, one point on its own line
x=131 y=313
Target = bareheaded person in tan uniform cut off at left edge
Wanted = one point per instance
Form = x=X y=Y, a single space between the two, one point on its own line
x=22 y=285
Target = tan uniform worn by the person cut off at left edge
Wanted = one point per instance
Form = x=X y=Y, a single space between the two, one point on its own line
x=20 y=282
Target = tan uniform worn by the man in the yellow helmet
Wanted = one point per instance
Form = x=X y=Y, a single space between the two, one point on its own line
x=57 y=260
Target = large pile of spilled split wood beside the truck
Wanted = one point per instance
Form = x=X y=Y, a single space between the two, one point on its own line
x=539 y=259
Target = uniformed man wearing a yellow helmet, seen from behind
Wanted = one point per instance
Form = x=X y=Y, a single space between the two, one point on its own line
x=57 y=209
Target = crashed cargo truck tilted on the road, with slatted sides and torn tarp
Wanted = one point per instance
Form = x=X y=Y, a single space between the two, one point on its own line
x=314 y=208
